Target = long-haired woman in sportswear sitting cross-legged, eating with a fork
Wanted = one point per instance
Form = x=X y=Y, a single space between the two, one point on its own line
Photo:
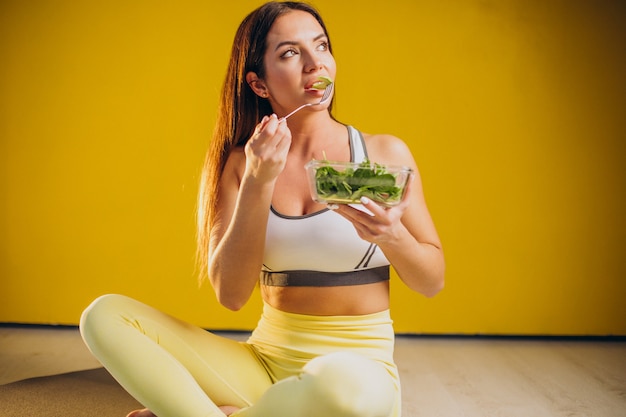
x=324 y=344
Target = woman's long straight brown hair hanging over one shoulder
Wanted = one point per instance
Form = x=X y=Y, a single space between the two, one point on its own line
x=239 y=110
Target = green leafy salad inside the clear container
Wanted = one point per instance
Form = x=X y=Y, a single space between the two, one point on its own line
x=369 y=180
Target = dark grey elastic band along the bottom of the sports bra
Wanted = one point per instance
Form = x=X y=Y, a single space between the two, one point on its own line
x=324 y=279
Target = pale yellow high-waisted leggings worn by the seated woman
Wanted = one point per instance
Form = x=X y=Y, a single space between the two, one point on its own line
x=292 y=365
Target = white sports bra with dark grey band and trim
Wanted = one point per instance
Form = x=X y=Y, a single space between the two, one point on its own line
x=298 y=248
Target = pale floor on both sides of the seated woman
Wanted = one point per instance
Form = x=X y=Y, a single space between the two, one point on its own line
x=447 y=377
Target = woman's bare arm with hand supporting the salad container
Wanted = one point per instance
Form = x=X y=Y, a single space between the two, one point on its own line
x=405 y=233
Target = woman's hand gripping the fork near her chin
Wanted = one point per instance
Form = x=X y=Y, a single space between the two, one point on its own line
x=266 y=151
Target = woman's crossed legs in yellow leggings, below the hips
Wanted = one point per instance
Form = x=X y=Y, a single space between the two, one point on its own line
x=179 y=370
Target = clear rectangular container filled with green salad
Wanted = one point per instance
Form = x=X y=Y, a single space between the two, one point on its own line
x=346 y=182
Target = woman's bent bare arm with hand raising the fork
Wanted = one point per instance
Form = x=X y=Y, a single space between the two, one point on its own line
x=237 y=237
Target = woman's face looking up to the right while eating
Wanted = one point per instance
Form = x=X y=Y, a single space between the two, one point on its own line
x=297 y=54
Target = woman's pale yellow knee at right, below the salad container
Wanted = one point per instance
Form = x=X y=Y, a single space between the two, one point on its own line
x=347 y=384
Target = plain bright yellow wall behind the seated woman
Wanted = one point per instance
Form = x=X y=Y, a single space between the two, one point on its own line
x=515 y=111
